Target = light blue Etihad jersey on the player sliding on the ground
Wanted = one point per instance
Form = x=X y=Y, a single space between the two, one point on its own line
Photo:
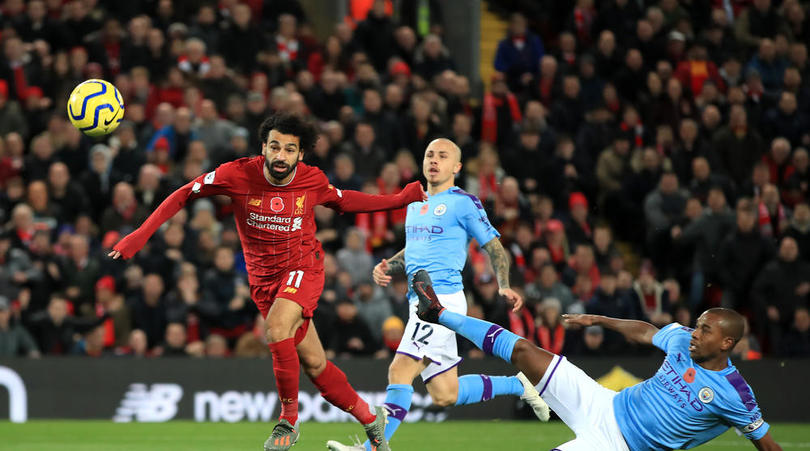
x=684 y=405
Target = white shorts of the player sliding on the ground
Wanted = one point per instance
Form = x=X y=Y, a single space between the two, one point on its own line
x=584 y=405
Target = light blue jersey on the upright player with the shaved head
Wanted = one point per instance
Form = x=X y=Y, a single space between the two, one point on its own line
x=437 y=234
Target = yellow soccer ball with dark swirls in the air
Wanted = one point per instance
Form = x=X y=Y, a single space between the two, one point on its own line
x=95 y=107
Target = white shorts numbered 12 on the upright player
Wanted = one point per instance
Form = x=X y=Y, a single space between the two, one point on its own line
x=433 y=341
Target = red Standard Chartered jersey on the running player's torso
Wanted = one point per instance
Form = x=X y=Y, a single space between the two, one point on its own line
x=275 y=222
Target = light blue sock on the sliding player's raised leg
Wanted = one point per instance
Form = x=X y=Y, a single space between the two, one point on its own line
x=491 y=338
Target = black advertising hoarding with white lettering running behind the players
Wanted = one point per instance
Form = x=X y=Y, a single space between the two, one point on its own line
x=231 y=390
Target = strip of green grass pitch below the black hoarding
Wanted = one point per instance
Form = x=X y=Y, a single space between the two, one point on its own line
x=448 y=436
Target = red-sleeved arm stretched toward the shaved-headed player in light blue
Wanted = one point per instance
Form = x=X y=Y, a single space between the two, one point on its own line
x=348 y=201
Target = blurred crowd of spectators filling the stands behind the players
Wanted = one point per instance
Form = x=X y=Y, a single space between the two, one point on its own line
x=641 y=159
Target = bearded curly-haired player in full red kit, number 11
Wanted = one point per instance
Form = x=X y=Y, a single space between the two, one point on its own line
x=273 y=198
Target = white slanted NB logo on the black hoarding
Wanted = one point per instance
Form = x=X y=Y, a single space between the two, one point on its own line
x=143 y=404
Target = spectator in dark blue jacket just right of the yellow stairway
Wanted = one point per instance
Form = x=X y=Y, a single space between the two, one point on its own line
x=519 y=54
